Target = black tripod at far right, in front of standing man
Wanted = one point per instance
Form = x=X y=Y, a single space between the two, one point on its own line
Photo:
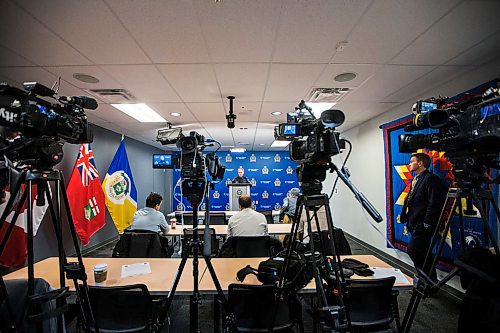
x=474 y=195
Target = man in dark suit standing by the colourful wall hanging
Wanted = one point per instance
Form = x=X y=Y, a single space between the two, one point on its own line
x=421 y=210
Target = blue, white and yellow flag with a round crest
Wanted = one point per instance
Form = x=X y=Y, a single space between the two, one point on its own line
x=120 y=191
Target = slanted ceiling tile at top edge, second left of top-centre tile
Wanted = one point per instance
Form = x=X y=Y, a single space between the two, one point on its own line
x=91 y=28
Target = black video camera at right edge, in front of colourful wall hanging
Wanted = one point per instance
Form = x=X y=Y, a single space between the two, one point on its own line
x=468 y=131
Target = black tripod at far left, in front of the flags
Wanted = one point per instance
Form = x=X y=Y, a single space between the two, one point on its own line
x=74 y=270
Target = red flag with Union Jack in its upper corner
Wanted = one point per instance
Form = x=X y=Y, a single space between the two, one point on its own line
x=86 y=198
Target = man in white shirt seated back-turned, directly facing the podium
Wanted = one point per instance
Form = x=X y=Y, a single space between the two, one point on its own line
x=247 y=222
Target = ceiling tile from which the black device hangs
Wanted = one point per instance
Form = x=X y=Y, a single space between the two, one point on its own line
x=244 y=81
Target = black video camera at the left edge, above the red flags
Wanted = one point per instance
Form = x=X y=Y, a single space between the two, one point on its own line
x=34 y=129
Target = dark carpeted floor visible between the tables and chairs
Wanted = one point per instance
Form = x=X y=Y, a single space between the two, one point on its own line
x=436 y=314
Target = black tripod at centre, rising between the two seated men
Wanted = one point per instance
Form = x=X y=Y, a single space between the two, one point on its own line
x=195 y=190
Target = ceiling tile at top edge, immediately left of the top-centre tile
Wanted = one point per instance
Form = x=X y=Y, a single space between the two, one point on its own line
x=170 y=34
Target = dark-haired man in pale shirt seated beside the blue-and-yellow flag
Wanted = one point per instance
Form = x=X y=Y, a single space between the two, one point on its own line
x=150 y=218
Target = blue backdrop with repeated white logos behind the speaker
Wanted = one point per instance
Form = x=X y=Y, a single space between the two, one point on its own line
x=272 y=175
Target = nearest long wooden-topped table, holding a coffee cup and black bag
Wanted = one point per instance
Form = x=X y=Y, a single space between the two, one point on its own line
x=163 y=271
